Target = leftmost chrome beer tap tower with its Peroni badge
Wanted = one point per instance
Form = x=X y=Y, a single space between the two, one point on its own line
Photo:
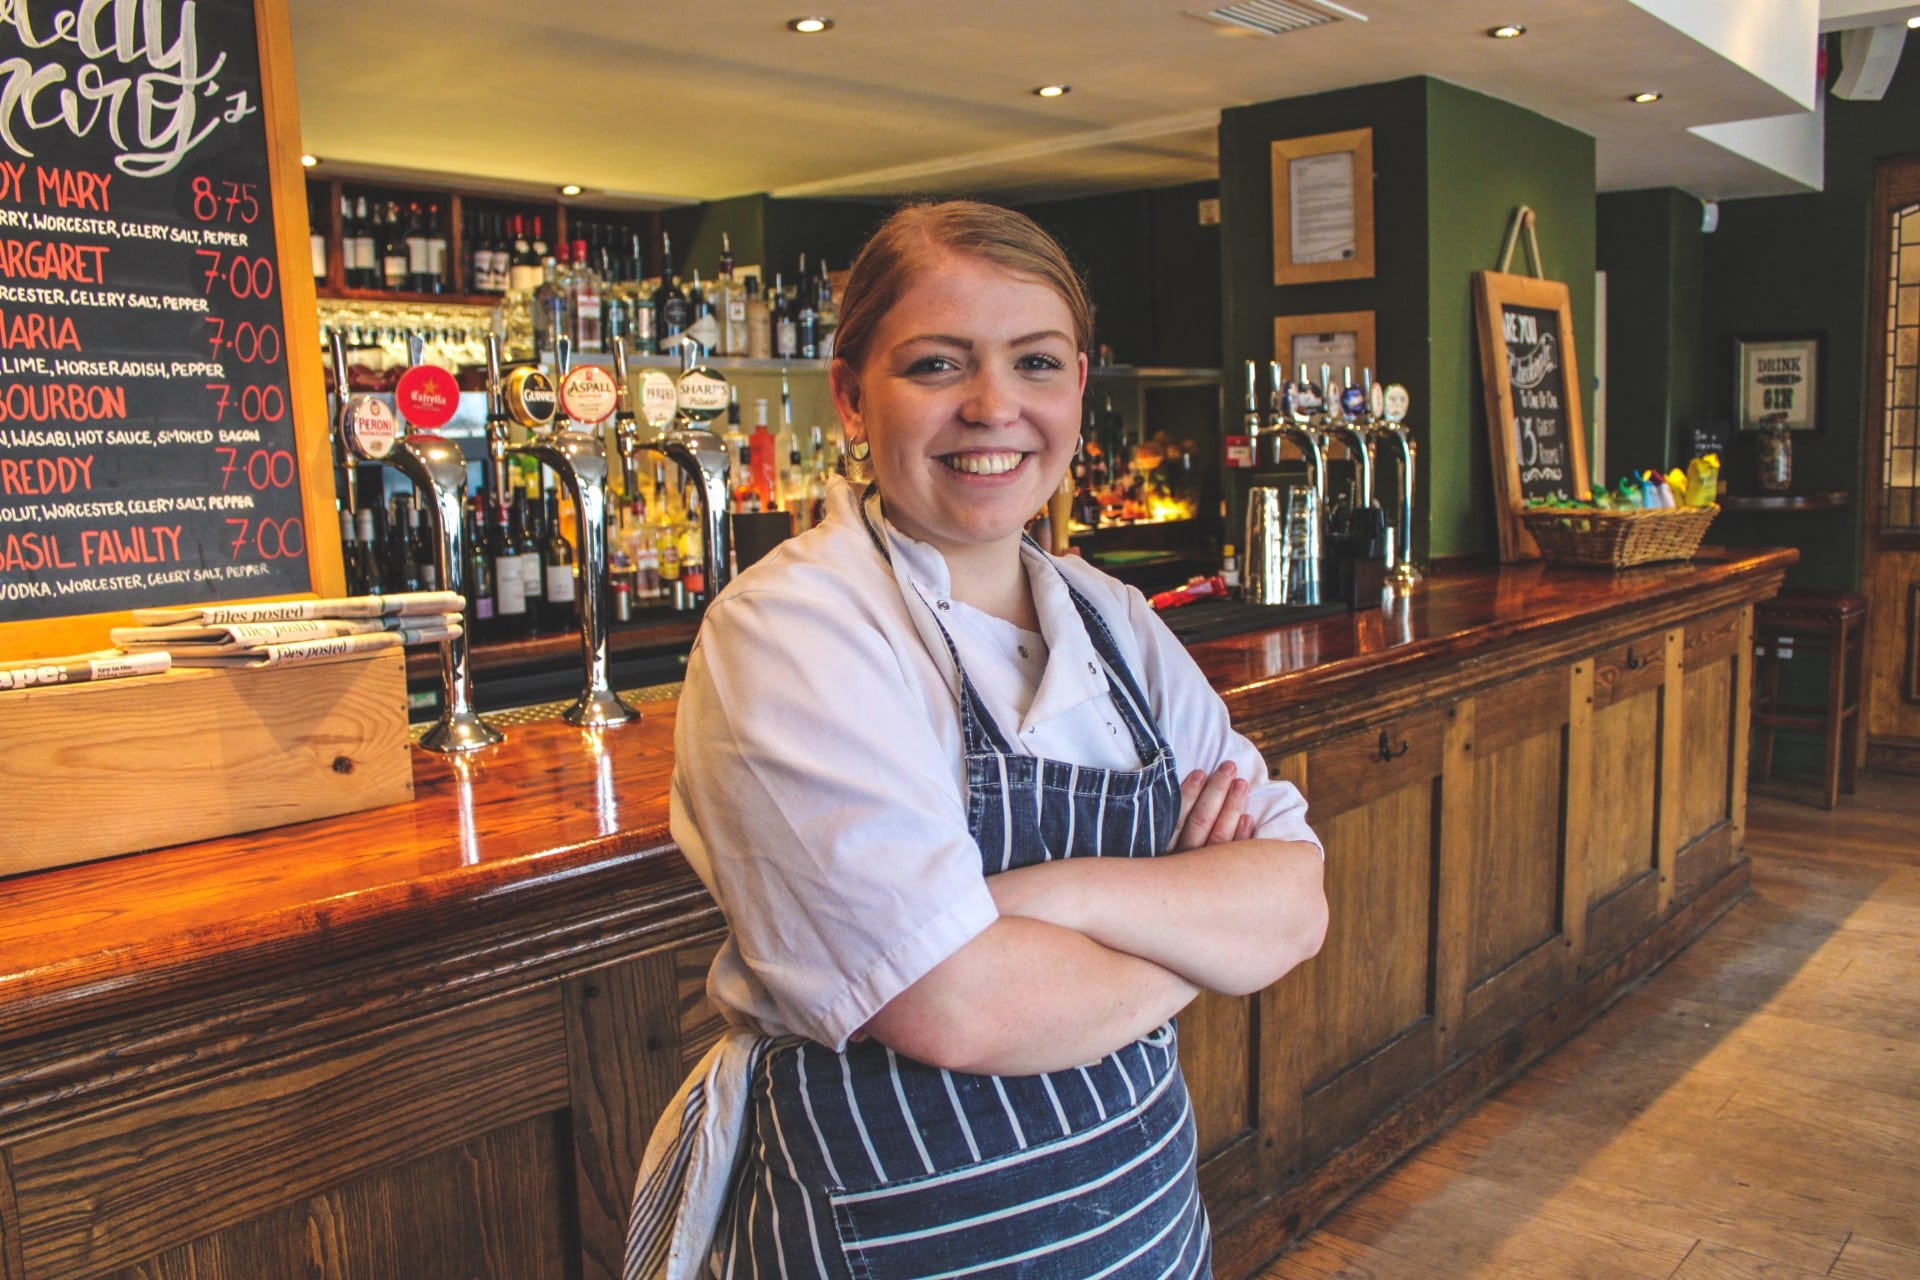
x=437 y=469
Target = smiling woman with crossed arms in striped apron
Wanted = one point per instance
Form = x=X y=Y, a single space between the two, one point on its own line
x=928 y=774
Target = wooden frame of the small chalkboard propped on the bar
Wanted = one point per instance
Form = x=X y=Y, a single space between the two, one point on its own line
x=1495 y=291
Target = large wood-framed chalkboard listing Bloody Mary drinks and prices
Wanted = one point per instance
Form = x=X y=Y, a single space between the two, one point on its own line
x=164 y=431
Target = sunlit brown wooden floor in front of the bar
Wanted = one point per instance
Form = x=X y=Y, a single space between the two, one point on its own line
x=1752 y=1112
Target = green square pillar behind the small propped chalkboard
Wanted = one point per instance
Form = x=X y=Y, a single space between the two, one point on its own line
x=1443 y=197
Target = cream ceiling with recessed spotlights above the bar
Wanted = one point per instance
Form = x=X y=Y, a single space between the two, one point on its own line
x=673 y=101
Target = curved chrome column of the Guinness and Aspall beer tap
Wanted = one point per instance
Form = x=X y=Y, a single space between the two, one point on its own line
x=581 y=463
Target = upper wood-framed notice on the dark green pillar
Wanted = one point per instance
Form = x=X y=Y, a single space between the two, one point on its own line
x=1324 y=208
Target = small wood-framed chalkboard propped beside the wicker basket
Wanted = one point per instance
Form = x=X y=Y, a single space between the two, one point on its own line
x=1533 y=398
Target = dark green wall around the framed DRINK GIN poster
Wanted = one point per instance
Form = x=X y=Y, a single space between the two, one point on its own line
x=1798 y=264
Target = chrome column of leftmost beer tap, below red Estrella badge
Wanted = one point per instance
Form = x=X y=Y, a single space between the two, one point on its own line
x=439 y=471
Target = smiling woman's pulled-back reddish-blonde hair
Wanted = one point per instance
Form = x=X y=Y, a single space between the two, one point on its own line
x=903 y=247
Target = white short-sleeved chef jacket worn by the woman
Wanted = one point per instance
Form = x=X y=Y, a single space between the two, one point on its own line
x=819 y=784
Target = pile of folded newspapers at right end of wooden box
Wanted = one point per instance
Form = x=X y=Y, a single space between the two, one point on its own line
x=287 y=632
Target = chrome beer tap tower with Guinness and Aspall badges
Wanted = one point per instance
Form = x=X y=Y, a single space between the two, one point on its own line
x=581 y=462
